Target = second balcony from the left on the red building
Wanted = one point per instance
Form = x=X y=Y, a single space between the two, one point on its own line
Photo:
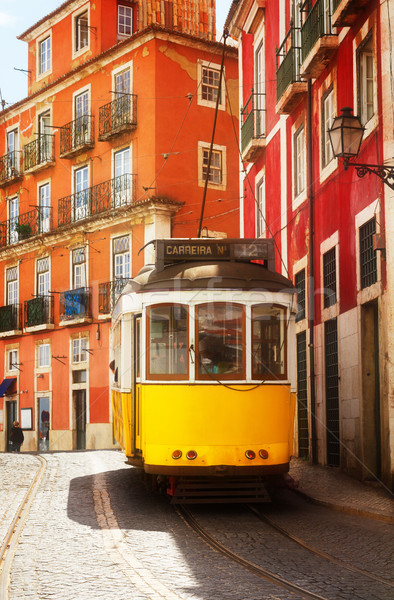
x=289 y=87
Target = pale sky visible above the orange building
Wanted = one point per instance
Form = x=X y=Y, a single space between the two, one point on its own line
x=16 y=16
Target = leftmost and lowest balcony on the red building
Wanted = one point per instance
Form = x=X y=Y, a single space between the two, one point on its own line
x=253 y=127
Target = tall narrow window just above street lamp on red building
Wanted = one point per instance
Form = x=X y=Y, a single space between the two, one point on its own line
x=365 y=80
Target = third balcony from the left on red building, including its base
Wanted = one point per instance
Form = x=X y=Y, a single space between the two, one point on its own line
x=318 y=40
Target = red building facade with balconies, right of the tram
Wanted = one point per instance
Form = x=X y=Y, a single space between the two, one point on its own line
x=300 y=64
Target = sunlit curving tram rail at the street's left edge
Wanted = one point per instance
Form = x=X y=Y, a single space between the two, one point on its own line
x=13 y=533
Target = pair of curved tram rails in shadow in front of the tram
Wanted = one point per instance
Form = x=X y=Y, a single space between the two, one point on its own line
x=262 y=572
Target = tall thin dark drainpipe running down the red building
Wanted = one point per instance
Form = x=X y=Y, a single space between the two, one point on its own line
x=311 y=315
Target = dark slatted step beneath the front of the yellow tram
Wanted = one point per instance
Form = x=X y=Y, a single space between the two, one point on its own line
x=220 y=490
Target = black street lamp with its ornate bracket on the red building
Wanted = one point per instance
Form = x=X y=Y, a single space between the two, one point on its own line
x=346 y=134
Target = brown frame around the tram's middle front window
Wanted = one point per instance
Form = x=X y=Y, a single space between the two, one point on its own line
x=214 y=376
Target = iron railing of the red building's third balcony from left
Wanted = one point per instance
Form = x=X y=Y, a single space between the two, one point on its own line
x=317 y=24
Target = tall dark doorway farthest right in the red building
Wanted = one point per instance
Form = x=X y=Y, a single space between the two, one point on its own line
x=372 y=454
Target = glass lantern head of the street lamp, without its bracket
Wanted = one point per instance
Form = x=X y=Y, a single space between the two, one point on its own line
x=346 y=135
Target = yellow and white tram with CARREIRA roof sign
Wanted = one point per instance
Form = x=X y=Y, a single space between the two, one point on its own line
x=203 y=364
